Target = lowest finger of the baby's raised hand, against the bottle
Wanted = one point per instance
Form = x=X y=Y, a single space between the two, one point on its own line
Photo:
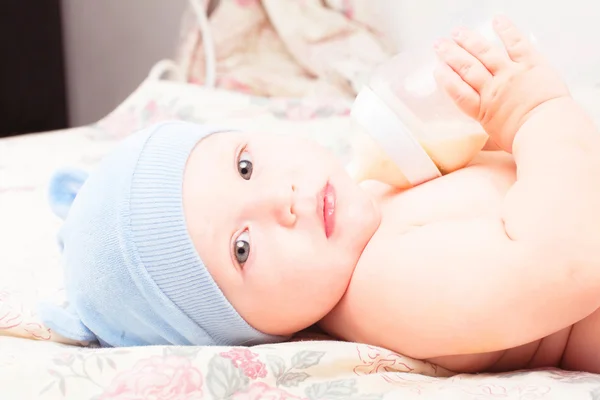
x=463 y=95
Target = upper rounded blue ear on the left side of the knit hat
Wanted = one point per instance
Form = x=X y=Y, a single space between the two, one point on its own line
x=63 y=188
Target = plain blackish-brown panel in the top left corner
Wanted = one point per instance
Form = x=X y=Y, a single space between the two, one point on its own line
x=32 y=76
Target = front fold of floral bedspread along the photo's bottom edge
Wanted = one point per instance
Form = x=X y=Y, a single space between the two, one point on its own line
x=301 y=370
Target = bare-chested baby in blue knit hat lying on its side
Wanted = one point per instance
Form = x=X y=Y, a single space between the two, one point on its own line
x=188 y=235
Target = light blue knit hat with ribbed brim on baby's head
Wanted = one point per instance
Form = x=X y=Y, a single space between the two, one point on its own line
x=132 y=274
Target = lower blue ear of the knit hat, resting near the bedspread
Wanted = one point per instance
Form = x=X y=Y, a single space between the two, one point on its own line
x=65 y=321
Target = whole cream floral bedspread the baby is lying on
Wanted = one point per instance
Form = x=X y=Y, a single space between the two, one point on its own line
x=34 y=366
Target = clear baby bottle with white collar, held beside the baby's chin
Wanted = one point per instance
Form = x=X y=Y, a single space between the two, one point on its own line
x=407 y=129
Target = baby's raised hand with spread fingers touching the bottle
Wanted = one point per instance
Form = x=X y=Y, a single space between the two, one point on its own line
x=498 y=87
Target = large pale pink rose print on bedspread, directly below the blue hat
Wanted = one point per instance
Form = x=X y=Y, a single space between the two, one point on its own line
x=166 y=378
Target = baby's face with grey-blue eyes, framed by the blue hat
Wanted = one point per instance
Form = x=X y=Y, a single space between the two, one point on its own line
x=255 y=204
